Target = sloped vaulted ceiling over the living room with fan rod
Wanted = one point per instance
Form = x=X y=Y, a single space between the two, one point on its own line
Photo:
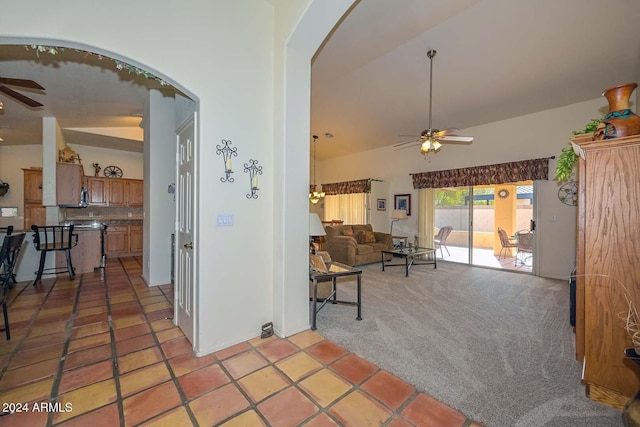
x=496 y=59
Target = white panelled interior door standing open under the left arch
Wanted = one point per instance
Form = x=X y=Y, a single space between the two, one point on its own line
x=184 y=301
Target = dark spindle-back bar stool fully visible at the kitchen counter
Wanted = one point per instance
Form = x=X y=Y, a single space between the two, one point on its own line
x=51 y=238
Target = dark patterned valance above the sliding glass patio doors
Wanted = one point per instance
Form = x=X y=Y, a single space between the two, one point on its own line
x=525 y=170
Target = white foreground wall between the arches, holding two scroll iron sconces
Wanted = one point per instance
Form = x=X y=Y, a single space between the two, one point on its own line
x=251 y=80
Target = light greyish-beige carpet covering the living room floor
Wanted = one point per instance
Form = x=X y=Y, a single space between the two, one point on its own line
x=495 y=345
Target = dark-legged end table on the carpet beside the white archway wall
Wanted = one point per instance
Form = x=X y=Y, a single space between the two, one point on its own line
x=334 y=270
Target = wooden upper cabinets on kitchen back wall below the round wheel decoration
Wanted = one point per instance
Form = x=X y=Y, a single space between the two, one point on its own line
x=115 y=192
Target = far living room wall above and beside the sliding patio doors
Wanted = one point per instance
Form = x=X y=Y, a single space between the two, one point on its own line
x=538 y=135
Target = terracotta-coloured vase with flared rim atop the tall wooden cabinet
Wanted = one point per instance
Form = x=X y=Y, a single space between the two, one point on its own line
x=620 y=121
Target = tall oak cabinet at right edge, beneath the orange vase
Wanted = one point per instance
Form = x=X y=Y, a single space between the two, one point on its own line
x=608 y=265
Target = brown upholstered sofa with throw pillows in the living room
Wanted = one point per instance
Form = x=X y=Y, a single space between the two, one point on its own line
x=356 y=244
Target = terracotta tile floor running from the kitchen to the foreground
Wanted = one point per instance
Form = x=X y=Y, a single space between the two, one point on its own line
x=103 y=351
